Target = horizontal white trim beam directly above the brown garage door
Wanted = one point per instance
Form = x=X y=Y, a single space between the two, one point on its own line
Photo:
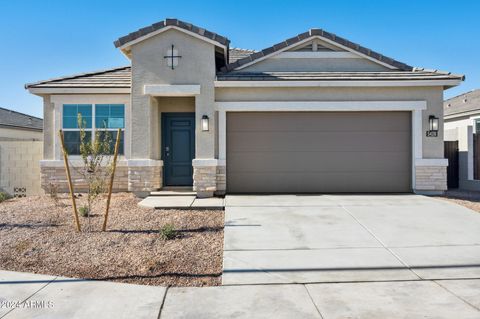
x=306 y=106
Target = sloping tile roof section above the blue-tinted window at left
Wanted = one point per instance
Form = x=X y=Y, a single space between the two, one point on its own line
x=112 y=78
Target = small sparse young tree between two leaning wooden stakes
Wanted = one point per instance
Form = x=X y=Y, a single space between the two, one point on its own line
x=97 y=163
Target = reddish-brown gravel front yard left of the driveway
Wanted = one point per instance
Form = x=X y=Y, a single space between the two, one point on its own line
x=38 y=235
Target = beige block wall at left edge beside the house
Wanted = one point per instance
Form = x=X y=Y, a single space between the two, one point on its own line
x=20 y=166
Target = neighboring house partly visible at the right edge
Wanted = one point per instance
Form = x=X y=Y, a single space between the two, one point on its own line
x=462 y=124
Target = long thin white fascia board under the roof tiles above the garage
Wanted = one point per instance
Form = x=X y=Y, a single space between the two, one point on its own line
x=353 y=83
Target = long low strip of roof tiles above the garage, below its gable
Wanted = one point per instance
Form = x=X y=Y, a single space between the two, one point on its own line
x=333 y=76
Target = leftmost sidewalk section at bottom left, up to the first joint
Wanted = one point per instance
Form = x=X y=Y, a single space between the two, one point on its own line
x=24 y=295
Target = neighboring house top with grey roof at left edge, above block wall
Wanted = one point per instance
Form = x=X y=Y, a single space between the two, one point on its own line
x=16 y=126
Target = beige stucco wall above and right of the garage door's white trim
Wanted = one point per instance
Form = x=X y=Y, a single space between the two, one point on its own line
x=432 y=146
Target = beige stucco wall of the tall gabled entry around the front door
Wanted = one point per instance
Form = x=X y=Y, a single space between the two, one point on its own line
x=196 y=66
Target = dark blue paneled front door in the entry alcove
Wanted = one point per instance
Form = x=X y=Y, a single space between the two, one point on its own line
x=178 y=147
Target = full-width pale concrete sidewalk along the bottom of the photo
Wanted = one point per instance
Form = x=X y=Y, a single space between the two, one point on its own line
x=42 y=296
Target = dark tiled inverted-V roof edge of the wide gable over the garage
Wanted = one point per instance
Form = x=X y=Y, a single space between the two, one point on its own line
x=312 y=33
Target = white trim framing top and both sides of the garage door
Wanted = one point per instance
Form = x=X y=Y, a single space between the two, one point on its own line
x=415 y=107
